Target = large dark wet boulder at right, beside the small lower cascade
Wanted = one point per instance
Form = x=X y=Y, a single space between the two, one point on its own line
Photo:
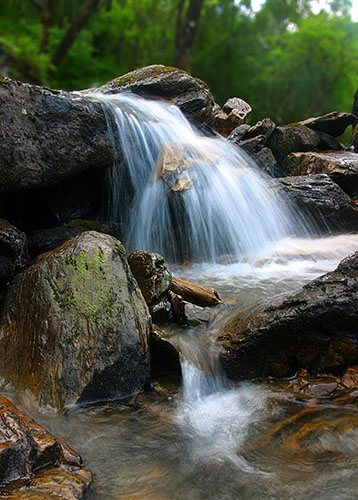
x=315 y=329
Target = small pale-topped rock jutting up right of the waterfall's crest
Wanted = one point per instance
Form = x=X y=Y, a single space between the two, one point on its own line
x=232 y=115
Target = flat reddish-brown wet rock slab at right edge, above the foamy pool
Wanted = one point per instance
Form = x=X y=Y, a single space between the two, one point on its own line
x=341 y=167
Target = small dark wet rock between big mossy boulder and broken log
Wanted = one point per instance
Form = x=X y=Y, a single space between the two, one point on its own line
x=153 y=276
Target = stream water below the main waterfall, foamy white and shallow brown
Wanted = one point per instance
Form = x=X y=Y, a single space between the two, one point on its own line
x=215 y=440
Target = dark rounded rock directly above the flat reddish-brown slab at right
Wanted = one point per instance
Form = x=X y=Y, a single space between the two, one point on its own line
x=298 y=138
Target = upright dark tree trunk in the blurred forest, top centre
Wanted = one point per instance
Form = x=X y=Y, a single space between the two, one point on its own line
x=185 y=32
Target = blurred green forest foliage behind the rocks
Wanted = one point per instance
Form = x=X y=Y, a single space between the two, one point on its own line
x=285 y=60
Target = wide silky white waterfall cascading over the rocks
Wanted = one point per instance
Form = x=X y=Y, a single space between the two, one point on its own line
x=182 y=194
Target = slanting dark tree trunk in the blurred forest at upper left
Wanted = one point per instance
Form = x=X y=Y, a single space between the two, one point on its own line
x=77 y=23
